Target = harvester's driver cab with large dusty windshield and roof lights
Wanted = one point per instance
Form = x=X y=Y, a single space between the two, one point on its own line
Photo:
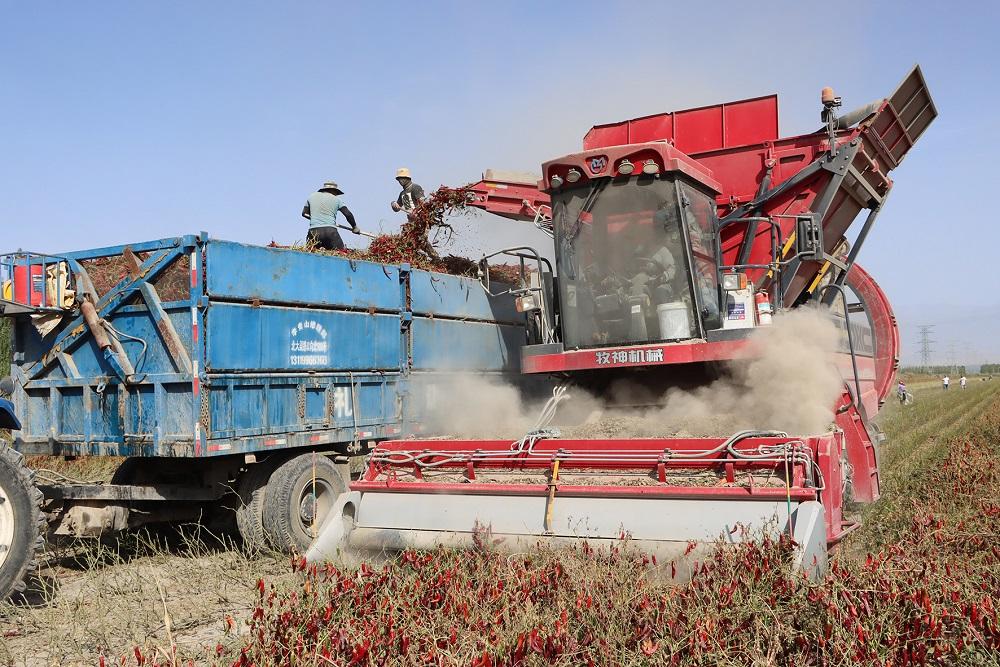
x=635 y=254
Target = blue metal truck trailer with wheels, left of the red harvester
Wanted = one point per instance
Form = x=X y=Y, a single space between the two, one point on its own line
x=229 y=375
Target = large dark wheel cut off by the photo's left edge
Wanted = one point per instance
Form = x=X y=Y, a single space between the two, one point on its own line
x=22 y=524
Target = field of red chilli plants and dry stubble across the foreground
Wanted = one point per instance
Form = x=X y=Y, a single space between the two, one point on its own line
x=918 y=583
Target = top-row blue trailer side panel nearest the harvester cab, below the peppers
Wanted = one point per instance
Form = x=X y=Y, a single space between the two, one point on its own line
x=443 y=295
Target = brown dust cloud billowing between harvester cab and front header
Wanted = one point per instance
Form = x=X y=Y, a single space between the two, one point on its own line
x=788 y=382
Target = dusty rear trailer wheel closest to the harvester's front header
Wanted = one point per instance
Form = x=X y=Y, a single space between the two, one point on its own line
x=300 y=494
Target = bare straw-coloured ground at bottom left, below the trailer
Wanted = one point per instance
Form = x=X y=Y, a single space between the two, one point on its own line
x=148 y=591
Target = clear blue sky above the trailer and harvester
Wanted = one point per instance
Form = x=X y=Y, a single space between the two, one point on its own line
x=125 y=121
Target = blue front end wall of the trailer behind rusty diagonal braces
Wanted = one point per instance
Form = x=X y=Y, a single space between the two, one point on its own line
x=76 y=405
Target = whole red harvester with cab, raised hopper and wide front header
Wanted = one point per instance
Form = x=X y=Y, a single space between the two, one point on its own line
x=675 y=235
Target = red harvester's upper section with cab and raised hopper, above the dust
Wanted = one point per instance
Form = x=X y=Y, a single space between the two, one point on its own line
x=675 y=235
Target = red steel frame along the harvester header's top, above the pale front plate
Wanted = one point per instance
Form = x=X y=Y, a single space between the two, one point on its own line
x=813 y=473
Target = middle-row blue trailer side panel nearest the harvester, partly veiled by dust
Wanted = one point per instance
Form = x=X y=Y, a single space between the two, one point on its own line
x=453 y=345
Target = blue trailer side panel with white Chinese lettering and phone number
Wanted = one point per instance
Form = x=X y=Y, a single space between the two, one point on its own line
x=246 y=338
